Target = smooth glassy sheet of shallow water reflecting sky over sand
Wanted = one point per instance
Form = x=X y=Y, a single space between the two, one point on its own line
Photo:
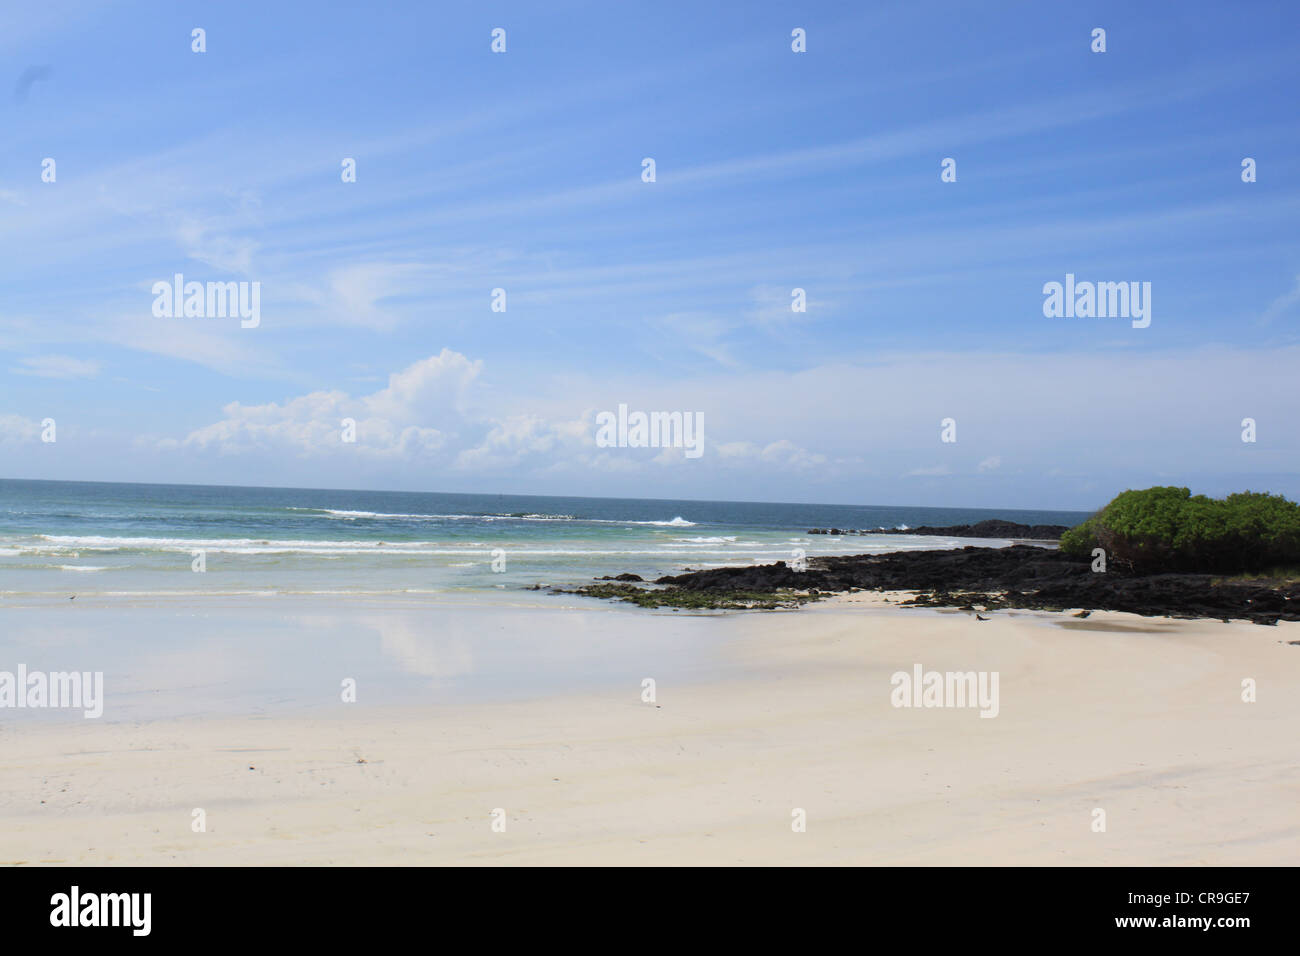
x=170 y=656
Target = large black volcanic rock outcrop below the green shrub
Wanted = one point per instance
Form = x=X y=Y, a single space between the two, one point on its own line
x=1016 y=577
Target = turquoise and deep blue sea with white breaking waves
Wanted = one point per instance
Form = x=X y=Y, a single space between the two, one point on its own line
x=128 y=539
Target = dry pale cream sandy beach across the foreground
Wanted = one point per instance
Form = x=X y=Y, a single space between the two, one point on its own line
x=1141 y=717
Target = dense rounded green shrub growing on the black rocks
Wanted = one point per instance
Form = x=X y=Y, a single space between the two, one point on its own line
x=1172 y=530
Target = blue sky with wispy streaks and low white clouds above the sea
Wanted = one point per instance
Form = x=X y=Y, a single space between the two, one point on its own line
x=775 y=171
